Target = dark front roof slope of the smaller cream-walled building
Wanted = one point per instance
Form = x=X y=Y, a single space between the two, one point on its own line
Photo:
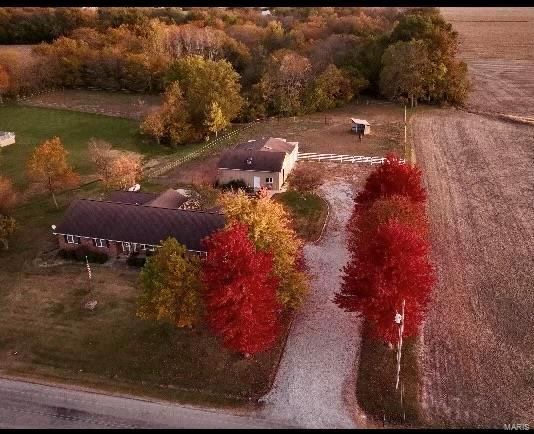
x=260 y=160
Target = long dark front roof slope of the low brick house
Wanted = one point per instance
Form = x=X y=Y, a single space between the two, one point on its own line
x=138 y=223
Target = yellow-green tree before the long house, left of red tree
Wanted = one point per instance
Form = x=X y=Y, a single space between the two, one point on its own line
x=172 y=289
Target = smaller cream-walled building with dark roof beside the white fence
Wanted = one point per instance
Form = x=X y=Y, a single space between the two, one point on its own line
x=265 y=162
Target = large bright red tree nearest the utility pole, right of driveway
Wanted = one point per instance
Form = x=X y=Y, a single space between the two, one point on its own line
x=393 y=267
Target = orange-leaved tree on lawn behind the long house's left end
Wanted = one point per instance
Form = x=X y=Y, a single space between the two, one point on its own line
x=48 y=166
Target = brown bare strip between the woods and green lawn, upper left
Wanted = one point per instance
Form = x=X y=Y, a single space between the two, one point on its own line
x=125 y=105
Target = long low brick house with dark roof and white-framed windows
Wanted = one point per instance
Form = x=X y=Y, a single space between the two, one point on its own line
x=135 y=222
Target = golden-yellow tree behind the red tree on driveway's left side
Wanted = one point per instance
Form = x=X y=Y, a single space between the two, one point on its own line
x=270 y=230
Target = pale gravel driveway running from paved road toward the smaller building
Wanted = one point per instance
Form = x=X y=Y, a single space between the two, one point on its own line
x=315 y=384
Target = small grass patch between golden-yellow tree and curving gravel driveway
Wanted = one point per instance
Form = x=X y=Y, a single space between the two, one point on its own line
x=308 y=210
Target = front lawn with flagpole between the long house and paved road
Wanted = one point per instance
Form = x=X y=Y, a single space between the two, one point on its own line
x=43 y=321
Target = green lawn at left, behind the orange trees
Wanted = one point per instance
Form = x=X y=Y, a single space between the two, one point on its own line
x=32 y=125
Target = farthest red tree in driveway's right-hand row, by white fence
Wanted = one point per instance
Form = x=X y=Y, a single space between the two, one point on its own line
x=393 y=178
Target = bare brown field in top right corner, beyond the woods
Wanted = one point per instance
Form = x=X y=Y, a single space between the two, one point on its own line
x=501 y=62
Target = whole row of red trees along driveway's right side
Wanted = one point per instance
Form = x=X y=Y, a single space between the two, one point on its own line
x=388 y=244
